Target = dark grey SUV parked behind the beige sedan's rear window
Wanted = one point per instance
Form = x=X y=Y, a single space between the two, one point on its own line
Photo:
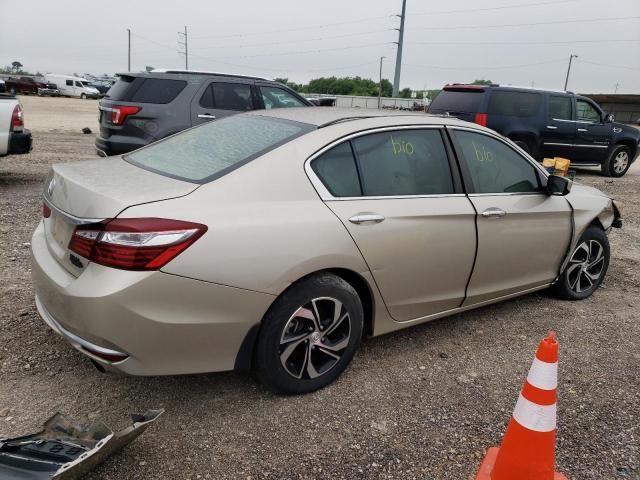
x=141 y=108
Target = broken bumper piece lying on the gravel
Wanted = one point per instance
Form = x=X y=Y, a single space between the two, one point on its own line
x=65 y=450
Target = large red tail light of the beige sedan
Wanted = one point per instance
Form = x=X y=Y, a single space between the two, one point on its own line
x=134 y=243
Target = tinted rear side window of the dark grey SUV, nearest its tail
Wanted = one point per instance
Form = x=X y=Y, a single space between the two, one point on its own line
x=145 y=90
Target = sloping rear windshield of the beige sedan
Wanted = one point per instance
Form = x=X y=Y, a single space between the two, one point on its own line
x=207 y=152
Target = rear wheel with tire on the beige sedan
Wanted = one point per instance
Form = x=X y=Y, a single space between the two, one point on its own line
x=309 y=335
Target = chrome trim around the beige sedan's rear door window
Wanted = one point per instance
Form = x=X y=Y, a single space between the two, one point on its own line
x=324 y=193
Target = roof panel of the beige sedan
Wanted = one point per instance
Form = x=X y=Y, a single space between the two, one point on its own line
x=324 y=116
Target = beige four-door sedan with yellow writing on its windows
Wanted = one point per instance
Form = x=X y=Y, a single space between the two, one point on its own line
x=275 y=240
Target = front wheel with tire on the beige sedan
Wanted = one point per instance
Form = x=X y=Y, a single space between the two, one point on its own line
x=587 y=267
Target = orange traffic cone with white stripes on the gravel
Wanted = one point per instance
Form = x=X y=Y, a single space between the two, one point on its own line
x=528 y=447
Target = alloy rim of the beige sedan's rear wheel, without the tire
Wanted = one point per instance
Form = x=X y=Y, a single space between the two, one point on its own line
x=314 y=338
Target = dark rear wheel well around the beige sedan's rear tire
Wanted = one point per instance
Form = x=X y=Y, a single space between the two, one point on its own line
x=244 y=357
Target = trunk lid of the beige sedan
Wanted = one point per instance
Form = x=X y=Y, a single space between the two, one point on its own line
x=90 y=191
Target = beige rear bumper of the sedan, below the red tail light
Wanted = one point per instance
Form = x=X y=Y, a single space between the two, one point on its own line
x=165 y=324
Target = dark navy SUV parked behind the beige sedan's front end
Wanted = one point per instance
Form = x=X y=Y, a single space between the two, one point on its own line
x=545 y=123
